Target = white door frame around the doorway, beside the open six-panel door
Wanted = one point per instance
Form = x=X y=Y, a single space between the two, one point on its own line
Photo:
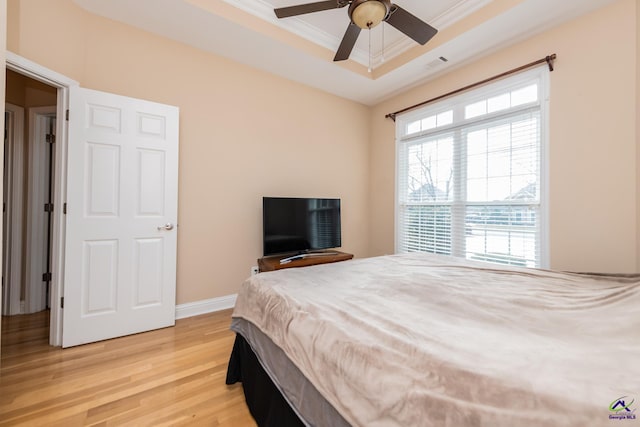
x=62 y=84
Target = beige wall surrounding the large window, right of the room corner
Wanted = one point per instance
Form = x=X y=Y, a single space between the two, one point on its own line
x=592 y=153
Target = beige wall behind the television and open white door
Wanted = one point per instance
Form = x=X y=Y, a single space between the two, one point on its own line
x=243 y=134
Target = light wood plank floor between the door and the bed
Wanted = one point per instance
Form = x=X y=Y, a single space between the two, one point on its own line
x=173 y=376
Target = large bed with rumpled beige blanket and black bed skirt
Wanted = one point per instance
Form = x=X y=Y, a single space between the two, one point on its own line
x=430 y=340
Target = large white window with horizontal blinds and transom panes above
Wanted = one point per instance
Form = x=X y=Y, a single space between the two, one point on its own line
x=470 y=174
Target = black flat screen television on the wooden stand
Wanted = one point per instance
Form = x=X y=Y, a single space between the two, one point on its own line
x=299 y=225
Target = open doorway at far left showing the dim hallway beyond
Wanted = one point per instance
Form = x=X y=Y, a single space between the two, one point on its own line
x=30 y=122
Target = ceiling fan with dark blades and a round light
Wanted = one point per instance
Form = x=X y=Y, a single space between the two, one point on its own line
x=365 y=14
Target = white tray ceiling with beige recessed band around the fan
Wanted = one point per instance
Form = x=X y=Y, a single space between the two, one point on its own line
x=301 y=48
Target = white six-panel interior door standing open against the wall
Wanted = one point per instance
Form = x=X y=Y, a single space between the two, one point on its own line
x=121 y=236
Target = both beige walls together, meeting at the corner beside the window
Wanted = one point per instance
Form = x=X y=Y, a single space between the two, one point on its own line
x=245 y=133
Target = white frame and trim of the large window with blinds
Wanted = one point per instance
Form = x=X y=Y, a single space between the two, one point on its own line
x=457 y=103
